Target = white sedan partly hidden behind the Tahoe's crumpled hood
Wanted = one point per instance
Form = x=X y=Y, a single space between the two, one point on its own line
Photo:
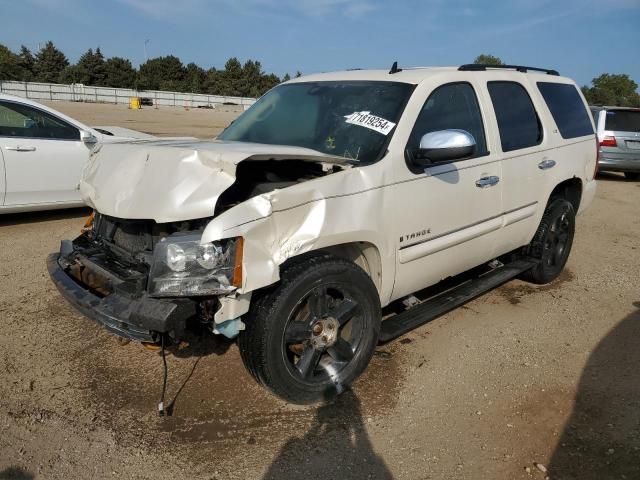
x=43 y=153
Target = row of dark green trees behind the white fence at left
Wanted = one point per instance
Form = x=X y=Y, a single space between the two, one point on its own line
x=167 y=73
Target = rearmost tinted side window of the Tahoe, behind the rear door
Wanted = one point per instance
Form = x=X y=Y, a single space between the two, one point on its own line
x=567 y=109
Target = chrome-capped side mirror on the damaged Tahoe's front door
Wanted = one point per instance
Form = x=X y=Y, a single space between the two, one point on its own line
x=443 y=146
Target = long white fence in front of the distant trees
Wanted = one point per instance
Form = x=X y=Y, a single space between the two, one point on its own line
x=82 y=93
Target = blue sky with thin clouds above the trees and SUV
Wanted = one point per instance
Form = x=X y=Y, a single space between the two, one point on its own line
x=580 y=38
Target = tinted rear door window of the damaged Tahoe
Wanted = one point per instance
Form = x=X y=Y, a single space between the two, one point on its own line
x=518 y=121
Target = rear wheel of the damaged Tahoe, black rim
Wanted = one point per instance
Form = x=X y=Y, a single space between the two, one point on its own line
x=551 y=244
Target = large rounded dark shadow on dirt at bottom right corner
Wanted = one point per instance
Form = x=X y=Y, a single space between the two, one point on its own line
x=602 y=437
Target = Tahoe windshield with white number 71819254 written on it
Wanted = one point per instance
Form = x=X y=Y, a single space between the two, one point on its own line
x=346 y=119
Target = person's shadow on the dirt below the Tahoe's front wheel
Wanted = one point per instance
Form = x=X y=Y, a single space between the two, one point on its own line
x=335 y=446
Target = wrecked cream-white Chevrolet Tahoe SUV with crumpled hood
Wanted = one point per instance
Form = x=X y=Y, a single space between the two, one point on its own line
x=333 y=196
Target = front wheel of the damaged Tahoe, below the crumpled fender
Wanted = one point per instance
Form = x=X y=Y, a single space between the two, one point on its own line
x=324 y=316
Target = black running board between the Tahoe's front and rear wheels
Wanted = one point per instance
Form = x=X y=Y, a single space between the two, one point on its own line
x=448 y=300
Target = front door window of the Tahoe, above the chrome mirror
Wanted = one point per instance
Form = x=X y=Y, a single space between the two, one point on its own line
x=452 y=106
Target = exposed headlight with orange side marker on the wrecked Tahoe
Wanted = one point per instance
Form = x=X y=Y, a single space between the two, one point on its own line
x=184 y=267
